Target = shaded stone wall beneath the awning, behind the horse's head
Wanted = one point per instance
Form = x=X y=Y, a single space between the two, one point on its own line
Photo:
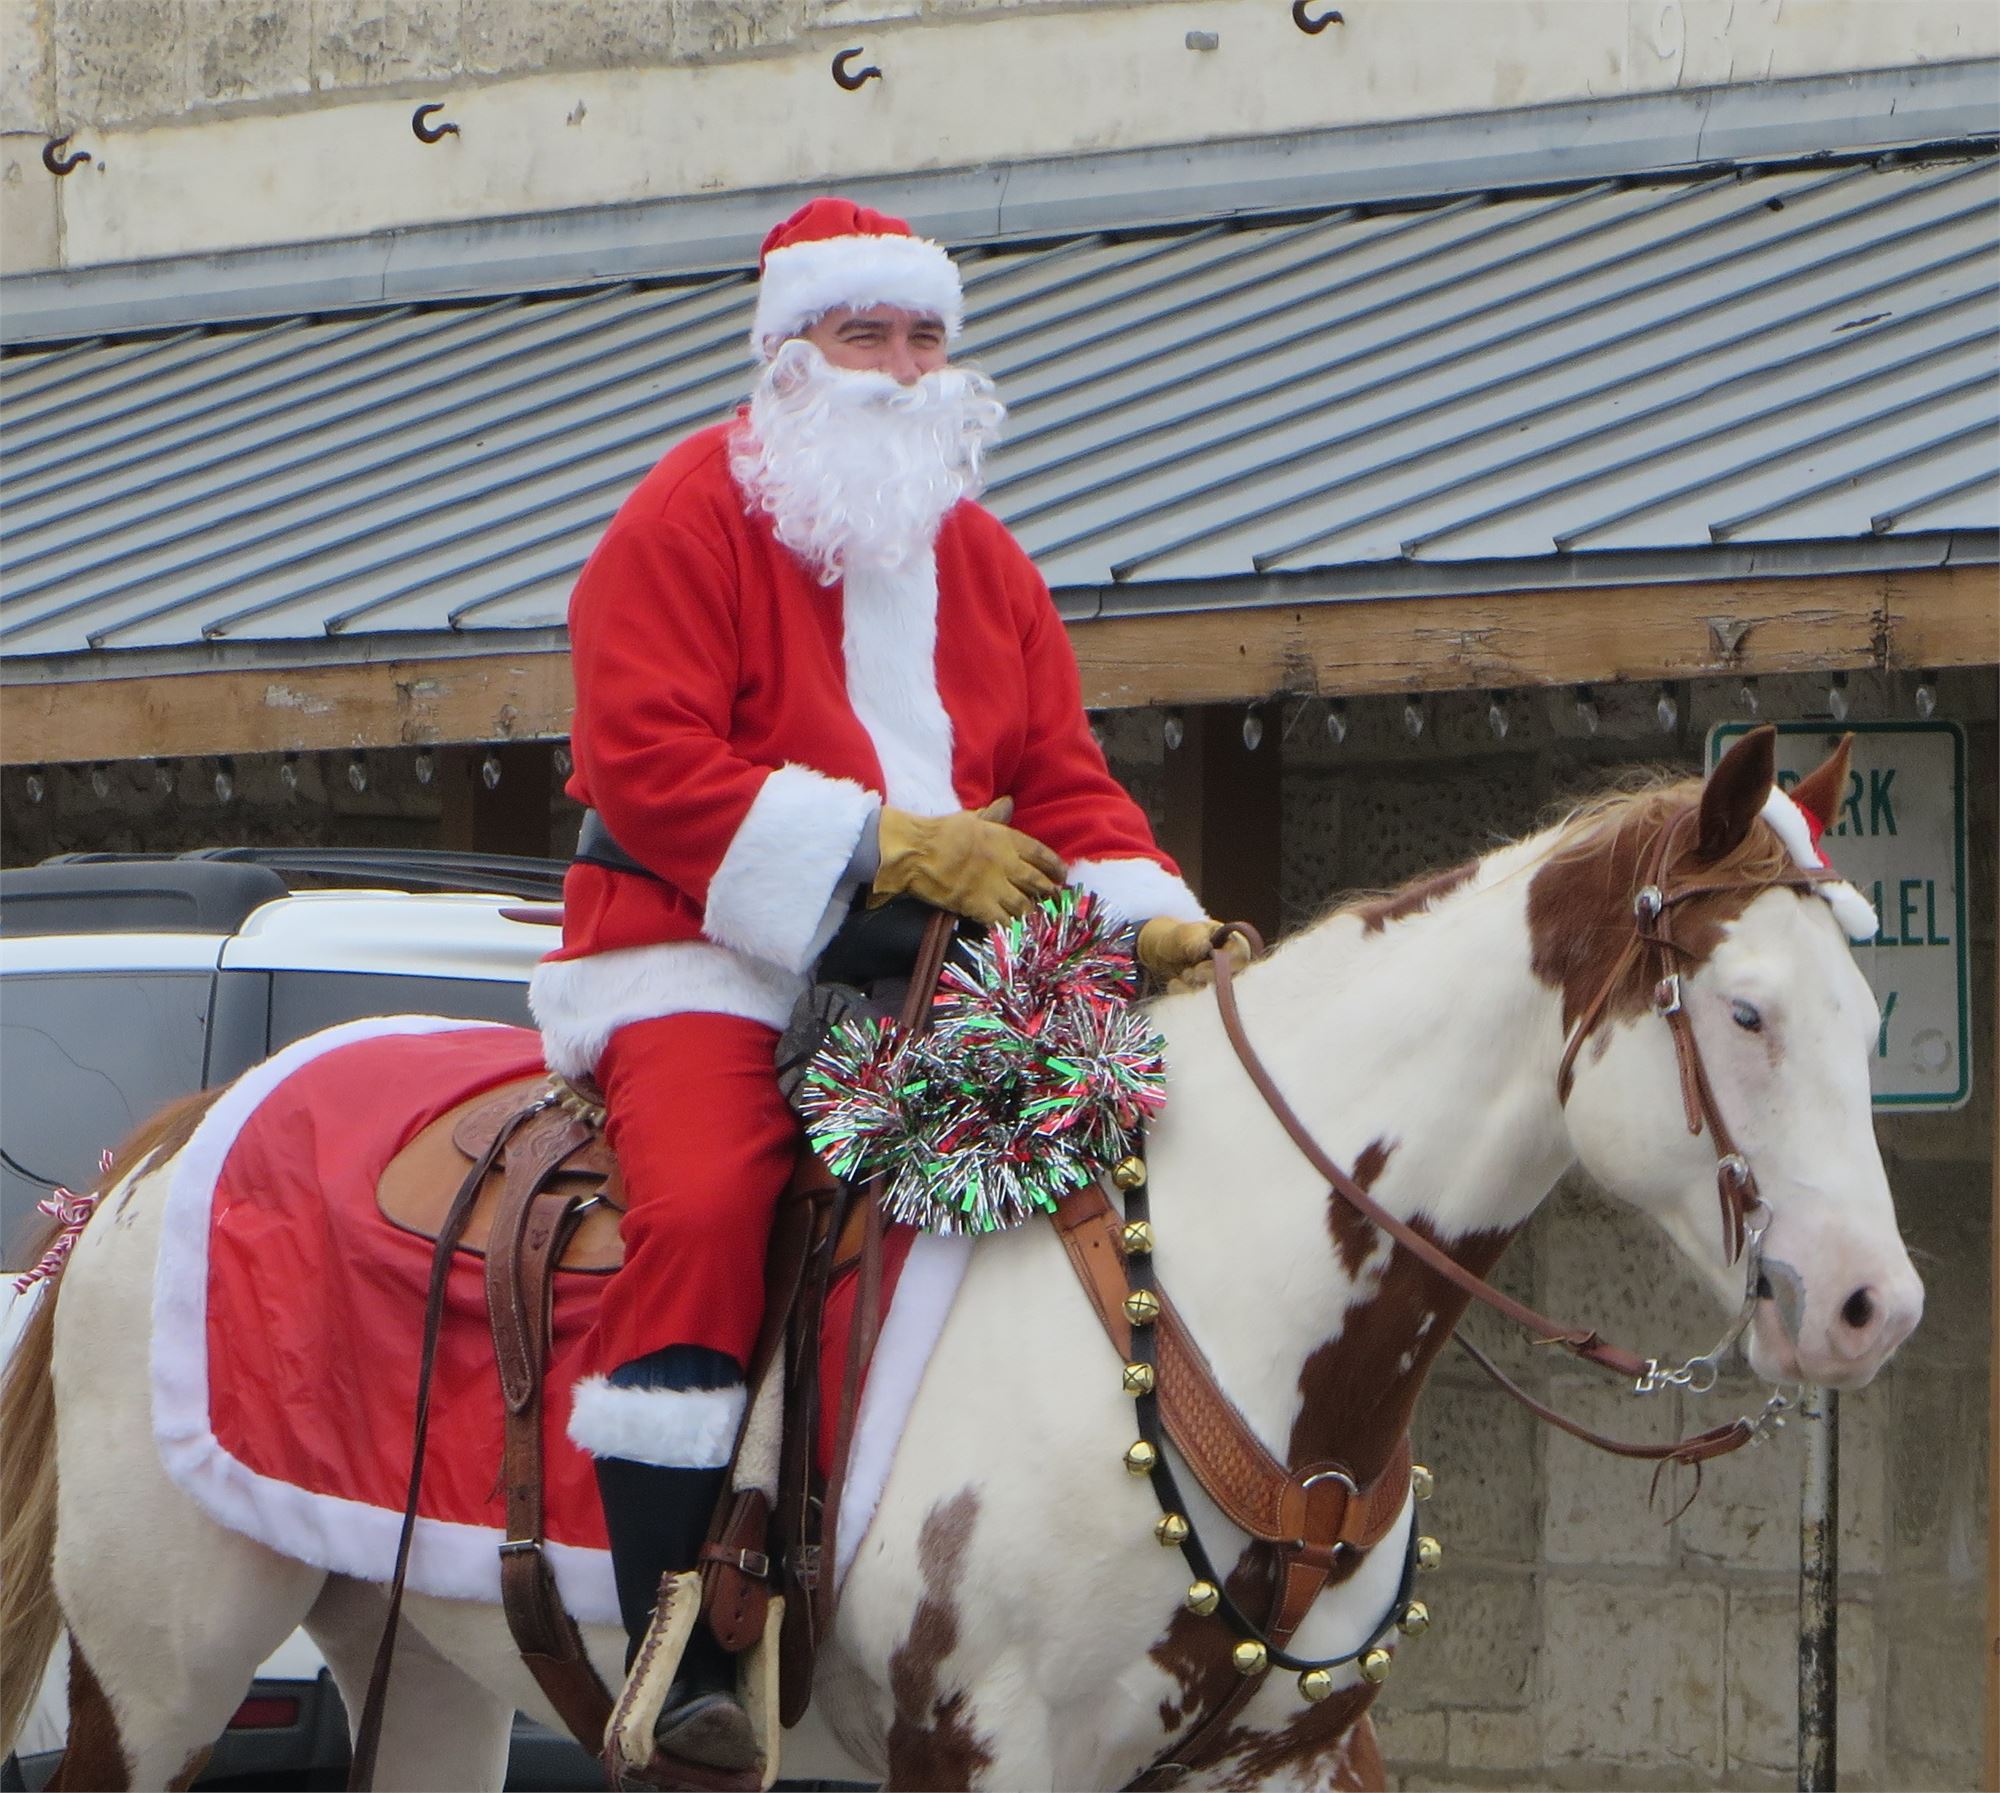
x=1581 y=1638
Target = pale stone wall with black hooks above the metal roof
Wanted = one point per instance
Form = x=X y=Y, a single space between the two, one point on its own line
x=213 y=123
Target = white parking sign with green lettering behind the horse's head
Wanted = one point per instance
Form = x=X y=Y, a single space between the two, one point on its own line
x=1901 y=841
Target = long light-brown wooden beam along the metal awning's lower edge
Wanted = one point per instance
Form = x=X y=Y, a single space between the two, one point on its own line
x=1567 y=635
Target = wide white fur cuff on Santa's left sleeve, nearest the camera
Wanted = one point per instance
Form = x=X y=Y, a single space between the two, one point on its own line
x=773 y=891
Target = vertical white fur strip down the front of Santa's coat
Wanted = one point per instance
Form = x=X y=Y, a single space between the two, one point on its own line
x=891 y=651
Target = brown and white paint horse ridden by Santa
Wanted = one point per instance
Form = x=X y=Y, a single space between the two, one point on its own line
x=1009 y=1618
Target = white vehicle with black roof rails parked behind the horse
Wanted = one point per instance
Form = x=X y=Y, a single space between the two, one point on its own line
x=127 y=982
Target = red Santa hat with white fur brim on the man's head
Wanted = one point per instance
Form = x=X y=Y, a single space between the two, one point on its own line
x=833 y=253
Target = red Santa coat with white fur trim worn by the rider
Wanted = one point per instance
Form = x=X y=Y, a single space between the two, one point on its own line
x=739 y=725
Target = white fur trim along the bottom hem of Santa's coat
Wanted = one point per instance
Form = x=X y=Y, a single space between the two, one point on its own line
x=581 y=1004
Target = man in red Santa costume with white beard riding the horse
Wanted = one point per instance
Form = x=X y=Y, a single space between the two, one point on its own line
x=811 y=673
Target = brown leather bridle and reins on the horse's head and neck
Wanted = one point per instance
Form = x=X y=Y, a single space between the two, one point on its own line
x=1745 y=1214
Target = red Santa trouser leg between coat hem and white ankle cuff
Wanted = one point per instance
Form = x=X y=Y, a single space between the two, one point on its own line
x=707 y=1144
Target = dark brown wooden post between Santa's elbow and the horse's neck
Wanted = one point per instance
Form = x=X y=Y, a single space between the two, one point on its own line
x=1223 y=815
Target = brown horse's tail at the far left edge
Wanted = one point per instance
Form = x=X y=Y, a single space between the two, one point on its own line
x=31 y=1620
